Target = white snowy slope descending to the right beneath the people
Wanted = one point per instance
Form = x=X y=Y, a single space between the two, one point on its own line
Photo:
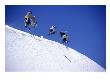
x=26 y=52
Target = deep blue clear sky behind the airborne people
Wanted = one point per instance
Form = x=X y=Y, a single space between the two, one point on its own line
x=85 y=24
